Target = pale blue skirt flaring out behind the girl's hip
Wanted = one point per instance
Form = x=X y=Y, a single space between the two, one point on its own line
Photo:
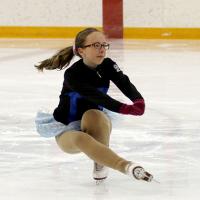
x=47 y=126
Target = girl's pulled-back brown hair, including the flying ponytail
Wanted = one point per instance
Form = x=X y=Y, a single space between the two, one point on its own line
x=63 y=57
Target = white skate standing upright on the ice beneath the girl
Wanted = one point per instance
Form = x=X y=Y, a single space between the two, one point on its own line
x=100 y=172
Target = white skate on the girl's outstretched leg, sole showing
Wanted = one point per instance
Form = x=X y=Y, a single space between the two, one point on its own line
x=138 y=172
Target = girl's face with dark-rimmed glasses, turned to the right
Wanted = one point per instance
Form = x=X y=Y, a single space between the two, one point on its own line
x=94 y=50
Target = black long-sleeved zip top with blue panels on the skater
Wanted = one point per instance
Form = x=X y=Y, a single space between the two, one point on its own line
x=85 y=88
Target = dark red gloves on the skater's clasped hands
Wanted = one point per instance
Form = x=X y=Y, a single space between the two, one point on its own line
x=137 y=108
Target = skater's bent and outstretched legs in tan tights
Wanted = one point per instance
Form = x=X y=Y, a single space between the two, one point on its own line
x=78 y=141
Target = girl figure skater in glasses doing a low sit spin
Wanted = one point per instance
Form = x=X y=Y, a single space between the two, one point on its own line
x=79 y=123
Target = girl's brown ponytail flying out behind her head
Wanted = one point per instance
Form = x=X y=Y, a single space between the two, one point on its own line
x=58 y=61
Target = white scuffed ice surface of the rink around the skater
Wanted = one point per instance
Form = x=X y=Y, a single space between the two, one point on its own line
x=165 y=140
